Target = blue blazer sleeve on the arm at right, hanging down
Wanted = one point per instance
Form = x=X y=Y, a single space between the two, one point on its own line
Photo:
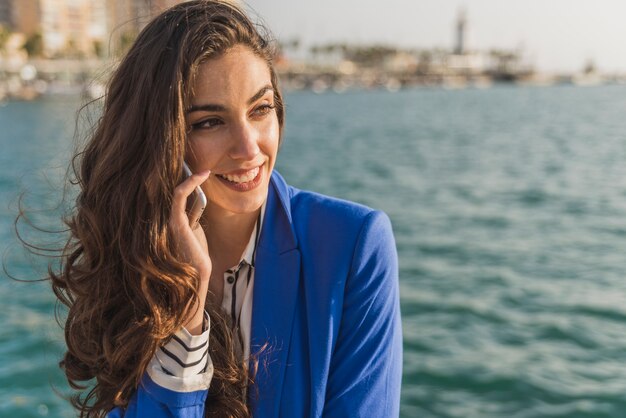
x=366 y=365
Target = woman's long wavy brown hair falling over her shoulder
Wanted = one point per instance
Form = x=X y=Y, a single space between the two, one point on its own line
x=121 y=277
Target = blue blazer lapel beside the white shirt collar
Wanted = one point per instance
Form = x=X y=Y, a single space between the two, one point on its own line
x=277 y=276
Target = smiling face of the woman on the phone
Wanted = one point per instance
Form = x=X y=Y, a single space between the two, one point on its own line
x=234 y=130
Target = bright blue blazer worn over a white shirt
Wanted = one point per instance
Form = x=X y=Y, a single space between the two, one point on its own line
x=326 y=299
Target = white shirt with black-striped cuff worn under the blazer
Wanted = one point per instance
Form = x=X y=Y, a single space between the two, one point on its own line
x=184 y=363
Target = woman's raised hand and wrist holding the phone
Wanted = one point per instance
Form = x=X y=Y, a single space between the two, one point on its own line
x=192 y=244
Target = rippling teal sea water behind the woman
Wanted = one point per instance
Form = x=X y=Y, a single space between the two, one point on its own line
x=509 y=210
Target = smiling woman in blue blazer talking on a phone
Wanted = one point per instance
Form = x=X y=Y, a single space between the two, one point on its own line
x=297 y=292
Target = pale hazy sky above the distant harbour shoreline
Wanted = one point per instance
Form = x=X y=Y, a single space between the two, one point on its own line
x=554 y=35
